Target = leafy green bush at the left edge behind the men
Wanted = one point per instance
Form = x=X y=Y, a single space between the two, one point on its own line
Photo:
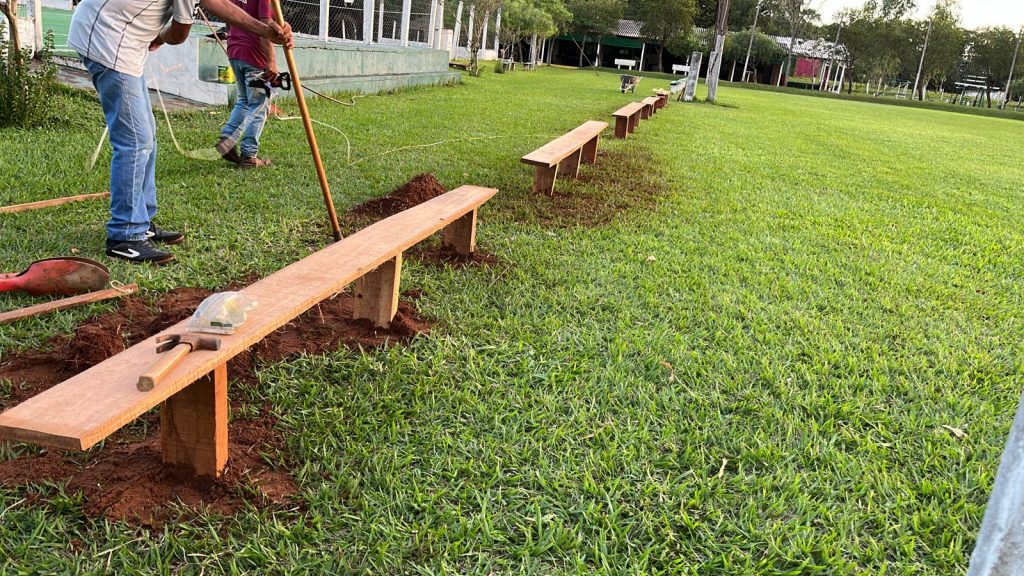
x=28 y=88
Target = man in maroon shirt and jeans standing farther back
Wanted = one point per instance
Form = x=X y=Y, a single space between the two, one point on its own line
x=252 y=58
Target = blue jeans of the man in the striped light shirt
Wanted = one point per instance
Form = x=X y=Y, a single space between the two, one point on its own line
x=134 y=137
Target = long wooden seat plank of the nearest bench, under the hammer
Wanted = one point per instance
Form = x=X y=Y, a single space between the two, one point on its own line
x=88 y=408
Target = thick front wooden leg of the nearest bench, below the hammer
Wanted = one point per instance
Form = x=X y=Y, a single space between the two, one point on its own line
x=194 y=426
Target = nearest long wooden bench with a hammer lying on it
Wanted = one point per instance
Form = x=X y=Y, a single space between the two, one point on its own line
x=83 y=410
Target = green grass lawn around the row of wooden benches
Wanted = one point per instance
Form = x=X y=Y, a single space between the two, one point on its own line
x=832 y=283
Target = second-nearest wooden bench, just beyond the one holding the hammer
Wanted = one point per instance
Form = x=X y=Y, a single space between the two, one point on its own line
x=564 y=155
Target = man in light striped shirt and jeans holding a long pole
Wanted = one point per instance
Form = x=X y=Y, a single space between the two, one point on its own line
x=114 y=38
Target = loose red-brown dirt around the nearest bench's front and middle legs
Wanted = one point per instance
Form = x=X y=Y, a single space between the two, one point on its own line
x=126 y=480
